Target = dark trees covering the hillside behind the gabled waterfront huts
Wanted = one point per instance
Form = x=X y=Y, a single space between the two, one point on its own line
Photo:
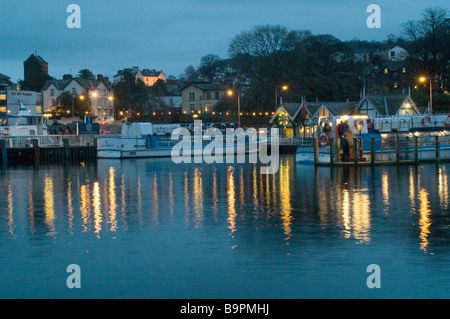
x=322 y=67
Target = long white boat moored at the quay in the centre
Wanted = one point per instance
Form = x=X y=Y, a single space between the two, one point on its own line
x=139 y=140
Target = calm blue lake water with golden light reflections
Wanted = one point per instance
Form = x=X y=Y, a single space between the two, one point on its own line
x=149 y=228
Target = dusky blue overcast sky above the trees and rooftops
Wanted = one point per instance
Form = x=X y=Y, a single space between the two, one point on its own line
x=171 y=34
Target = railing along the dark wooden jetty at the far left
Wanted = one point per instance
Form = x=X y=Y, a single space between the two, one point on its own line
x=48 y=140
